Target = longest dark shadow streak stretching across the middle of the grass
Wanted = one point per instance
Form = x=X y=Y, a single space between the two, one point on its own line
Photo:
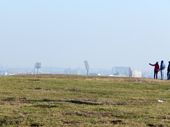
x=70 y=101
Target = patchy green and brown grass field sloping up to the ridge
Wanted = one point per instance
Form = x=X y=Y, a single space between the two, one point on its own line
x=65 y=100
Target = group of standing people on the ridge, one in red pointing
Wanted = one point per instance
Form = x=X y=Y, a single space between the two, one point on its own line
x=161 y=69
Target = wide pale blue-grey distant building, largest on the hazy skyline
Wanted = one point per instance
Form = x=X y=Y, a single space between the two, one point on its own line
x=122 y=71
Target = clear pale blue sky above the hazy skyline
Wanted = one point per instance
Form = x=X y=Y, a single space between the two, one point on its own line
x=65 y=33
